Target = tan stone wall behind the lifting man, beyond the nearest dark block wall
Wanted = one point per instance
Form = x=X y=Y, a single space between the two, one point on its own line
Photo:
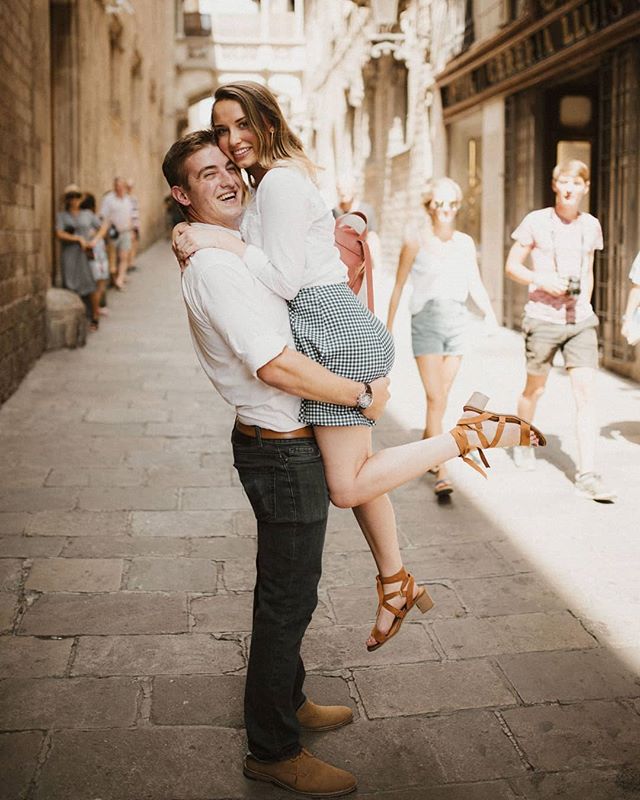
x=124 y=103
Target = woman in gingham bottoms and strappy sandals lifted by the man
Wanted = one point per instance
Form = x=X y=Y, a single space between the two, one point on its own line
x=290 y=222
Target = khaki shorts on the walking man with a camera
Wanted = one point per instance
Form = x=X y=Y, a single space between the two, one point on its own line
x=578 y=344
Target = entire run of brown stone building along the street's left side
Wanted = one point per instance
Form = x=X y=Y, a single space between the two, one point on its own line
x=86 y=93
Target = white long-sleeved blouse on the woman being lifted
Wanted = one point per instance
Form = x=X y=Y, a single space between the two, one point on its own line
x=290 y=222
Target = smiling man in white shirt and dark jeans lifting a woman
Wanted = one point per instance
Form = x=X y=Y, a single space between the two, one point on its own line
x=242 y=337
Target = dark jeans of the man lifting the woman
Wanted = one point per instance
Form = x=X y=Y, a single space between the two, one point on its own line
x=284 y=481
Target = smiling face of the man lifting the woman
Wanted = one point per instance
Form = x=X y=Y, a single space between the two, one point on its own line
x=214 y=189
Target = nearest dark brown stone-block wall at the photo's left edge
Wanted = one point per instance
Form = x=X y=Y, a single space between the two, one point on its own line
x=25 y=169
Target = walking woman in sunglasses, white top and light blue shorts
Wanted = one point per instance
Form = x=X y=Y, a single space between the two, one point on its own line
x=444 y=270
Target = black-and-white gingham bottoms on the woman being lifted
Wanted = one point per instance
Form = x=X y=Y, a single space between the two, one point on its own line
x=331 y=326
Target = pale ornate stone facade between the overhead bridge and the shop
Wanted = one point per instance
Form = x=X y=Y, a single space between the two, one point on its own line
x=368 y=89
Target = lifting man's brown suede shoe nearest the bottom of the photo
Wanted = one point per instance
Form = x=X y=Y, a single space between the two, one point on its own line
x=304 y=774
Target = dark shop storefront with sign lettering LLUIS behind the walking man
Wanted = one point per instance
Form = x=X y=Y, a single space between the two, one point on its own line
x=561 y=81
